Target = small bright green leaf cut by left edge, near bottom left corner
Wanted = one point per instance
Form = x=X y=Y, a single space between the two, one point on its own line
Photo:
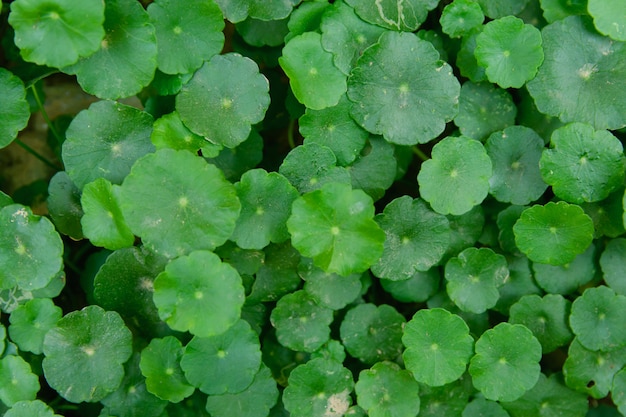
x=17 y=381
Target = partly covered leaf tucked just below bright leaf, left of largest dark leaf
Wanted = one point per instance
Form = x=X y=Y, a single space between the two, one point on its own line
x=334 y=128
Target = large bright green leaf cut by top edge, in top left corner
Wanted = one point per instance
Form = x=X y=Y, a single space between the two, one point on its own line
x=41 y=26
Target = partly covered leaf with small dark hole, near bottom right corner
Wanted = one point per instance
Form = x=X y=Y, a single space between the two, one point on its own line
x=592 y=372
